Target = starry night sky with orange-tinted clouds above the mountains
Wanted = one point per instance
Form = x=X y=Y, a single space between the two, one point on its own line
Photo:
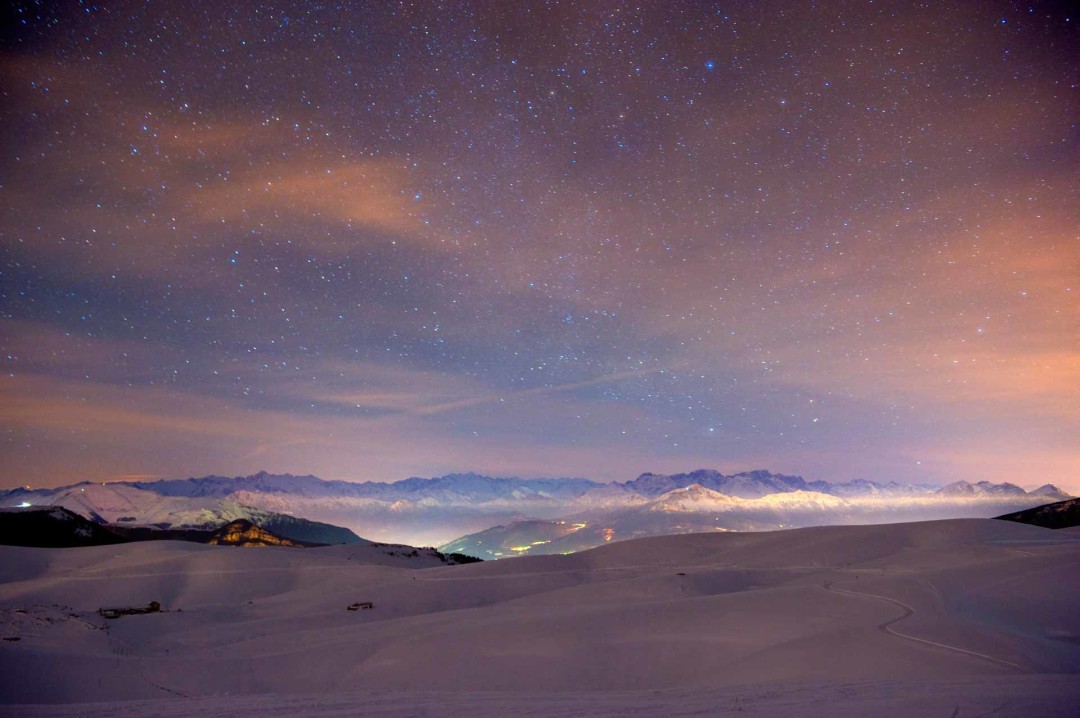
x=377 y=240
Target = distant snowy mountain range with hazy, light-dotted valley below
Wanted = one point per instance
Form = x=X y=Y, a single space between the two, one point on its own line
x=434 y=511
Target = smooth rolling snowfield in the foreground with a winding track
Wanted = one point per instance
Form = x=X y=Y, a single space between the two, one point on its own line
x=944 y=618
